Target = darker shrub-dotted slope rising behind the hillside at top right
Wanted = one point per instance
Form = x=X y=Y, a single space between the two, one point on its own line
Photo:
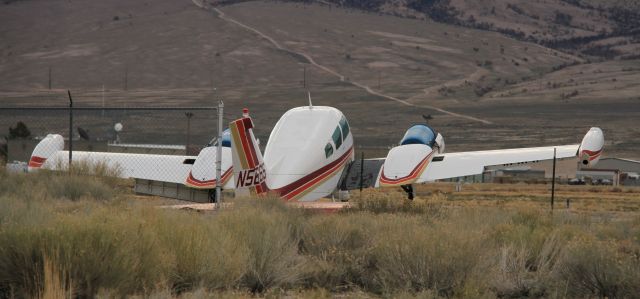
x=593 y=28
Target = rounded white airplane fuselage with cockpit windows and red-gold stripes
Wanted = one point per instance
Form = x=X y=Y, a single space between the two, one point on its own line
x=307 y=153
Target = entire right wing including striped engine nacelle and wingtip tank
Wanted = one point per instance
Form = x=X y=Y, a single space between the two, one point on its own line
x=421 y=162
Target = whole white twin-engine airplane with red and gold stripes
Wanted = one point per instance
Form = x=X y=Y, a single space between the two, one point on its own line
x=307 y=155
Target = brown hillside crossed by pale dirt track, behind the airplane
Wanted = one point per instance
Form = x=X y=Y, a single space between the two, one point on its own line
x=383 y=71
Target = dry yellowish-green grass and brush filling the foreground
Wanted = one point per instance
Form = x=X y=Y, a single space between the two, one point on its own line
x=118 y=246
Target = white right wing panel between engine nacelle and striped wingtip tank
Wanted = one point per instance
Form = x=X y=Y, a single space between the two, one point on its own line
x=453 y=165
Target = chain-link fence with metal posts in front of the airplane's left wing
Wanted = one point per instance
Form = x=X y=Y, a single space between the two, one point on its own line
x=155 y=145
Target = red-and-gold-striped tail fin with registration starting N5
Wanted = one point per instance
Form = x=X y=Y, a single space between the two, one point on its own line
x=248 y=167
